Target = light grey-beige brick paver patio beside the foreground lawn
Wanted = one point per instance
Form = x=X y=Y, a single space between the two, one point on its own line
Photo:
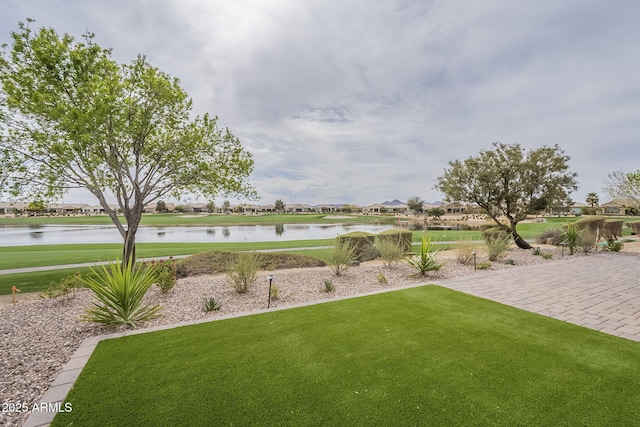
x=600 y=291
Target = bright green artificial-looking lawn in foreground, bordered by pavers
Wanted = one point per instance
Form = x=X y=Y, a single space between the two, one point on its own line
x=422 y=356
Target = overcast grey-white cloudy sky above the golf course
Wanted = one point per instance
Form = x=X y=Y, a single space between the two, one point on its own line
x=359 y=101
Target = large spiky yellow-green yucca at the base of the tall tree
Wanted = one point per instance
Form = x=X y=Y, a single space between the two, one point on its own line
x=120 y=291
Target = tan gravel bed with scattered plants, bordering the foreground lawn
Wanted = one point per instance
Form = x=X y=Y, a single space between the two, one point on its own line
x=38 y=336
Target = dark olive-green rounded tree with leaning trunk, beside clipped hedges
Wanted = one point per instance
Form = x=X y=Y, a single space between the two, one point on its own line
x=506 y=181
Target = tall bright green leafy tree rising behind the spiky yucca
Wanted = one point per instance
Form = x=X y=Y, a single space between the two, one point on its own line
x=71 y=117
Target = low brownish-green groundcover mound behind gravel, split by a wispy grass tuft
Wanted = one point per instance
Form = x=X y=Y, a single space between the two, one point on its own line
x=214 y=262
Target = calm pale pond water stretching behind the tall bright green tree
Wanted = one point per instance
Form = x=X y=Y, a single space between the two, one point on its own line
x=63 y=234
